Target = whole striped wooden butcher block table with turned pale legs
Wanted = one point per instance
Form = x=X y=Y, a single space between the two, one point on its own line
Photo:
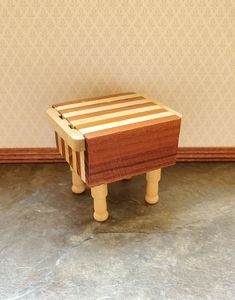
x=109 y=138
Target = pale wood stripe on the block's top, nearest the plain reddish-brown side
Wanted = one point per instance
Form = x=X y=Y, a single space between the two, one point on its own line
x=125 y=122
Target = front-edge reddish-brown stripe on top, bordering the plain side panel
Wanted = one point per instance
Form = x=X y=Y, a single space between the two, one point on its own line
x=129 y=127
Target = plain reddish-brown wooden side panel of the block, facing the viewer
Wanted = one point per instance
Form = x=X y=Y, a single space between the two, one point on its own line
x=115 y=156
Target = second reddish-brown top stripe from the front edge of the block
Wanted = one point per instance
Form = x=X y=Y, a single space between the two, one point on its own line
x=115 y=119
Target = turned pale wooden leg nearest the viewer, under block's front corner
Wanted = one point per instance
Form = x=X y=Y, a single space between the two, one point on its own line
x=99 y=194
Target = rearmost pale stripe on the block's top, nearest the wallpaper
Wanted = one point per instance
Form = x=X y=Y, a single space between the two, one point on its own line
x=87 y=103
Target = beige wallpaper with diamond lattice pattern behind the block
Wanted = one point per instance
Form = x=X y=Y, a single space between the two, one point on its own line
x=180 y=51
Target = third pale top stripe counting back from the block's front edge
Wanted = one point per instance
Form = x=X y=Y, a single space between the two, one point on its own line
x=106 y=107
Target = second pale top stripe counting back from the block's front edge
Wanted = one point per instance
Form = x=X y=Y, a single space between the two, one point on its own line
x=116 y=114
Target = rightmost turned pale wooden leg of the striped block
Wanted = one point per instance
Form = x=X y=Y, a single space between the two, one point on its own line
x=152 y=179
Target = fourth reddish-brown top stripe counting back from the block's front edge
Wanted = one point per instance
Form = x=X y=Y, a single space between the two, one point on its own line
x=95 y=104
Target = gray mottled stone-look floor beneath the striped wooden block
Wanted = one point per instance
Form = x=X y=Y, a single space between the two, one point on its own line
x=181 y=248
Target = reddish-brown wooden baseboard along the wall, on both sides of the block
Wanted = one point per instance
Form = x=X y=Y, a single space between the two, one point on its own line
x=185 y=154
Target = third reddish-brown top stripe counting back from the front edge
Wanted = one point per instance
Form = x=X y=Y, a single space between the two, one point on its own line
x=109 y=111
